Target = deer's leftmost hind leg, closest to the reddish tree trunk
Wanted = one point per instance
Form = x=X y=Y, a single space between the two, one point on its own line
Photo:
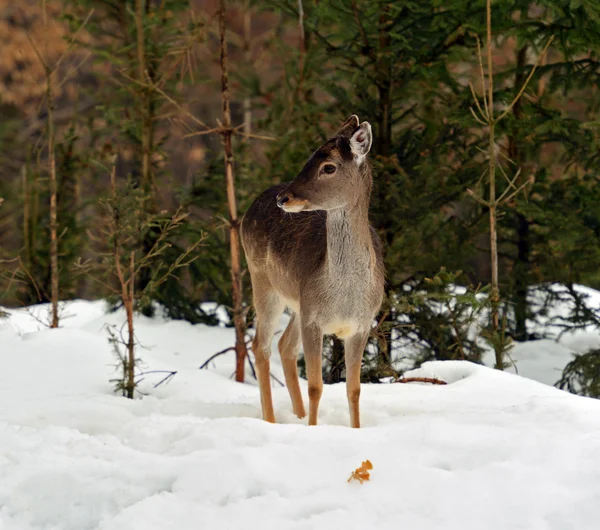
x=268 y=306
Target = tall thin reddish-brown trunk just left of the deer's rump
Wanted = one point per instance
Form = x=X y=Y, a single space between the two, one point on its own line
x=234 y=235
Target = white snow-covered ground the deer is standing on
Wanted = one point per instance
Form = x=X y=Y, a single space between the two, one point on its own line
x=489 y=450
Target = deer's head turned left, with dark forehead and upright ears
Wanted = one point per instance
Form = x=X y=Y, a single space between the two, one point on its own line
x=336 y=175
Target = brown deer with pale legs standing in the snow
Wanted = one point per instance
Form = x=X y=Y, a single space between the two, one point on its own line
x=310 y=247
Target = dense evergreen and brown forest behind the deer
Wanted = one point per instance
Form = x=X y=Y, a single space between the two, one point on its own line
x=113 y=134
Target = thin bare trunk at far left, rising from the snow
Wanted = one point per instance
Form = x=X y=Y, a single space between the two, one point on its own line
x=53 y=192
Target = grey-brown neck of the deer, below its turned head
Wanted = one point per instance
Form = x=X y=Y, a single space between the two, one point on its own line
x=349 y=244
